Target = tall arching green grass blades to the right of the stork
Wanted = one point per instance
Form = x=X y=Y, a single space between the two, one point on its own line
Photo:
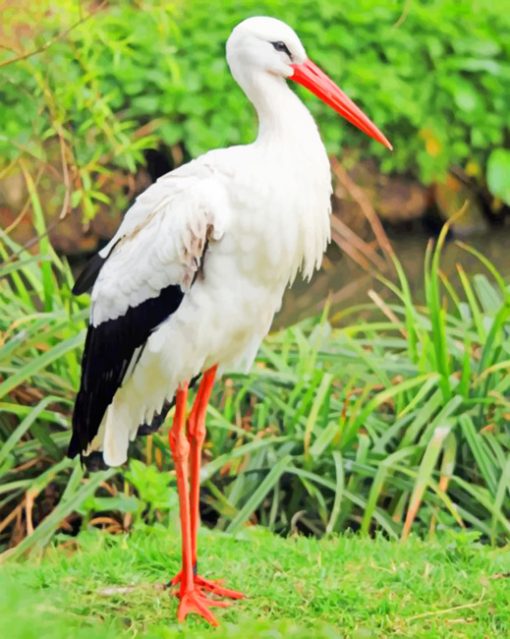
x=386 y=423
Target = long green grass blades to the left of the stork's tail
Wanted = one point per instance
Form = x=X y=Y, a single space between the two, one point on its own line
x=41 y=330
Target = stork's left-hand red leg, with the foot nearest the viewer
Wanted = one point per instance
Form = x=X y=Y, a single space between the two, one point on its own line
x=191 y=598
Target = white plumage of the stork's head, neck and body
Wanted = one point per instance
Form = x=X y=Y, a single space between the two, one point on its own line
x=231 y=229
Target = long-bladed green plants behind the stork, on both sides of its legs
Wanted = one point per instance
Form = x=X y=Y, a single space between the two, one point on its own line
x=399 y=419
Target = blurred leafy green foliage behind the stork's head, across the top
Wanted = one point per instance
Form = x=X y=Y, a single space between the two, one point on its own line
x=434 y=75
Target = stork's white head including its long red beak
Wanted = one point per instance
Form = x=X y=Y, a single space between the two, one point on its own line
x=271 y=46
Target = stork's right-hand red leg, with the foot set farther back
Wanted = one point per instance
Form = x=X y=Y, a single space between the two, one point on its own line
x=196 y=436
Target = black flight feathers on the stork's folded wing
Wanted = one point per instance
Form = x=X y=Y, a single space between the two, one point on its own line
x=109 y=349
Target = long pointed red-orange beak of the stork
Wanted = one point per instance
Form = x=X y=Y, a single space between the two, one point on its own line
x=315 y=80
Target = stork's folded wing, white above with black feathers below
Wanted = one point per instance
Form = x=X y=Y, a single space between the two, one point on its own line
x=139 y=280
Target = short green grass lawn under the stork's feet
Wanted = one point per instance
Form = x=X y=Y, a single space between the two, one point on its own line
x=351 y=587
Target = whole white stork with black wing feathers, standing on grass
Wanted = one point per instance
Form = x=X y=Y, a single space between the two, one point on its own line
x=190 y=283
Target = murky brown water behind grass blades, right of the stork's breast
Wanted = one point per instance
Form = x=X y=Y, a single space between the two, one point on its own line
x=346 y=284
